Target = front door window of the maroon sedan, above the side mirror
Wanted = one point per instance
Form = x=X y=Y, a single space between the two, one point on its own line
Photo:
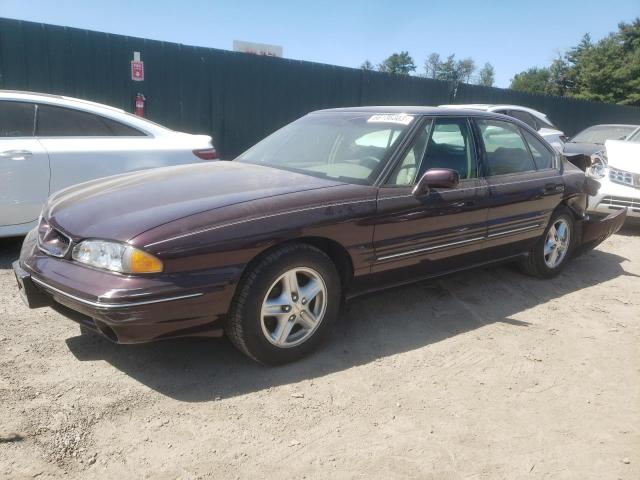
x=442 y=143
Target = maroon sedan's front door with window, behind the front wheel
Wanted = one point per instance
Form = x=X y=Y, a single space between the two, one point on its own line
x=432 y=232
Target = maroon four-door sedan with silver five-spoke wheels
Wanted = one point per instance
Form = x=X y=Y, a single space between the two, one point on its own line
x=338 y=203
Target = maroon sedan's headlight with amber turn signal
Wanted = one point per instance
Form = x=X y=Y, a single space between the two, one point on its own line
x=115 y=256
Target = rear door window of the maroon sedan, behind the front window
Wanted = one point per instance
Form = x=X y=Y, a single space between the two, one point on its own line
x=505 y=150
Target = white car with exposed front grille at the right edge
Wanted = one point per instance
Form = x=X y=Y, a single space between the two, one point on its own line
x=617 y=168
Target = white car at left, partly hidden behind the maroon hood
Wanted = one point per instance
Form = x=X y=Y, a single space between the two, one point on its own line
x=50 y=142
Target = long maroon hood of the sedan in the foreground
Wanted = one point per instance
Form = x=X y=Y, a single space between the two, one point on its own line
x=123 y=206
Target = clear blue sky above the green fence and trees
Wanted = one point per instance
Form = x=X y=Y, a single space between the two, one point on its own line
x=511 y=35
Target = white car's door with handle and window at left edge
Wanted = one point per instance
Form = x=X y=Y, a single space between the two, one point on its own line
x=24 y=165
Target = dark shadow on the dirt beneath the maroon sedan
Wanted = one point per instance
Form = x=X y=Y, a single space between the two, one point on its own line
x=370 y=327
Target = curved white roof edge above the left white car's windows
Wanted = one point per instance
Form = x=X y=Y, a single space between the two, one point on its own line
x=87 y=106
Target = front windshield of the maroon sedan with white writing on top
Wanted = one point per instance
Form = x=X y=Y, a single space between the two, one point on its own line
x=350 y=147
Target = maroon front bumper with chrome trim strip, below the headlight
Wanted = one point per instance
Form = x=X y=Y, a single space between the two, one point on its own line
x=125 y=309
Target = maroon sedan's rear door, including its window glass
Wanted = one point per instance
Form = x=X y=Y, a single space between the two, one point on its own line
x=525 y=185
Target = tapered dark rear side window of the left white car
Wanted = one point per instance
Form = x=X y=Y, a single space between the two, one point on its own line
x=66 y=122
